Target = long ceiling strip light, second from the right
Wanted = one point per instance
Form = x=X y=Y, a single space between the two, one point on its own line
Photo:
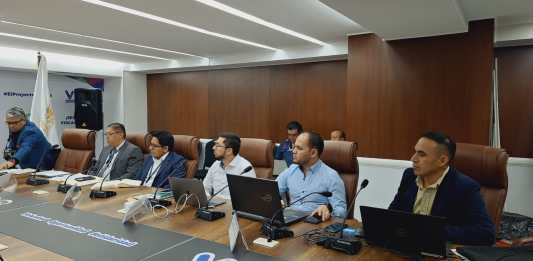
x=175 y=23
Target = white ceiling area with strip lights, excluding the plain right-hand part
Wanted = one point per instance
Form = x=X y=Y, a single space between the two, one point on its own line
x=304 y=16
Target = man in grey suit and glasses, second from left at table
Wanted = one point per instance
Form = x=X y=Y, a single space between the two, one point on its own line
x=120 y=159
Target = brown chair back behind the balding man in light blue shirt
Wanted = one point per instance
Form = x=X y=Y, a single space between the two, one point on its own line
x=341 y=156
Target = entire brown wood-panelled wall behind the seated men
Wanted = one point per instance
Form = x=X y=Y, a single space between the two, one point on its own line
x=385 y=96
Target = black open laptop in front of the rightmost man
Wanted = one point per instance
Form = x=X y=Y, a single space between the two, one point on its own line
x=405 y=232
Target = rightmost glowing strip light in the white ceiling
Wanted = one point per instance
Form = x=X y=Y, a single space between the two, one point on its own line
x=251 y=18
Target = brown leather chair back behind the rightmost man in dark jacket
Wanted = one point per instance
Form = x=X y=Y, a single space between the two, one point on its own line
x=488 y=166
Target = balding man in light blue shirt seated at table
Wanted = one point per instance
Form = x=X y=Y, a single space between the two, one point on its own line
x=309 y=174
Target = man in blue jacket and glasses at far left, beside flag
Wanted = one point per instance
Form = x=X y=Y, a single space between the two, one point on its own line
x=26 y=144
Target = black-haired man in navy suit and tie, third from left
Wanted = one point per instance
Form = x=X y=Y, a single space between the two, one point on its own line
x=163 y=163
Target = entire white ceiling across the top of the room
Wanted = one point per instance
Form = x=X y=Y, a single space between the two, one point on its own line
x=326 y=20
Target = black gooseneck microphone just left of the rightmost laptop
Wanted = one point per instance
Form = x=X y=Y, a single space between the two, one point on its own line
x=350 y=247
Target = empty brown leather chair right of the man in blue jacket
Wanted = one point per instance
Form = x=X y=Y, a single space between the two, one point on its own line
x=78 y=150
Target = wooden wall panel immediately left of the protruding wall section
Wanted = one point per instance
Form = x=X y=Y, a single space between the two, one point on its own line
x=313 y=94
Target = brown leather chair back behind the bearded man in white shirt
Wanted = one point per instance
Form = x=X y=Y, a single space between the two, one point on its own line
x=259 y=153
